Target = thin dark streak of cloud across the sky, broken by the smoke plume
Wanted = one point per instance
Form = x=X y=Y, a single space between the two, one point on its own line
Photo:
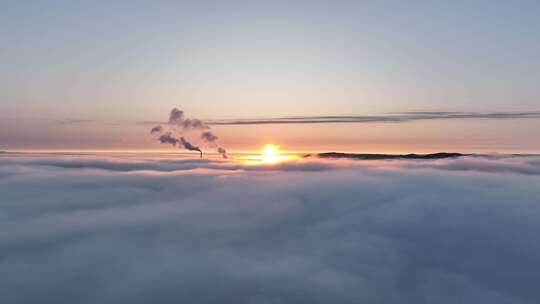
x=398 y=117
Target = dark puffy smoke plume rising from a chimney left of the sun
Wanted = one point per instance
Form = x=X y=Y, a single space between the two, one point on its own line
x=178 y=124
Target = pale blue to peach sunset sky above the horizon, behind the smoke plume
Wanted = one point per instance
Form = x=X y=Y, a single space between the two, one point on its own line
x=83 y=74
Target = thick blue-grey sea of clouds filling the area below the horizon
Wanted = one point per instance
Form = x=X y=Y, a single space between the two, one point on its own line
x=136 y=229
